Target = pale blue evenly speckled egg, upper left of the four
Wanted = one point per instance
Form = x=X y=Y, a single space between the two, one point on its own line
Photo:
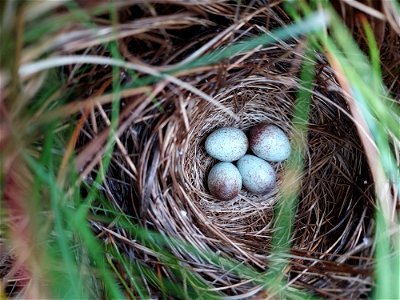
x=227 y=144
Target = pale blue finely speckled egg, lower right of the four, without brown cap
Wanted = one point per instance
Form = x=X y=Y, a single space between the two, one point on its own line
x=258 y=175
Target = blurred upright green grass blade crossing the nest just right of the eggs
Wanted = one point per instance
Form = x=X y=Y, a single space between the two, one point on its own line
x=286 y=207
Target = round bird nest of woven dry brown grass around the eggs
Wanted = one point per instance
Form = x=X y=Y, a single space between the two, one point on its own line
x=161 y=181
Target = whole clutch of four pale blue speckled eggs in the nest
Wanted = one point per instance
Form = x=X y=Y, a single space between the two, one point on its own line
x=228 y=144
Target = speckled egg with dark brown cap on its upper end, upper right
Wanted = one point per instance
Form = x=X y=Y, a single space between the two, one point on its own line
x=269 y=142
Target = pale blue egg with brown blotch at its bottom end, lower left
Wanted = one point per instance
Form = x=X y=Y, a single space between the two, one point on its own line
x=224 y=181
